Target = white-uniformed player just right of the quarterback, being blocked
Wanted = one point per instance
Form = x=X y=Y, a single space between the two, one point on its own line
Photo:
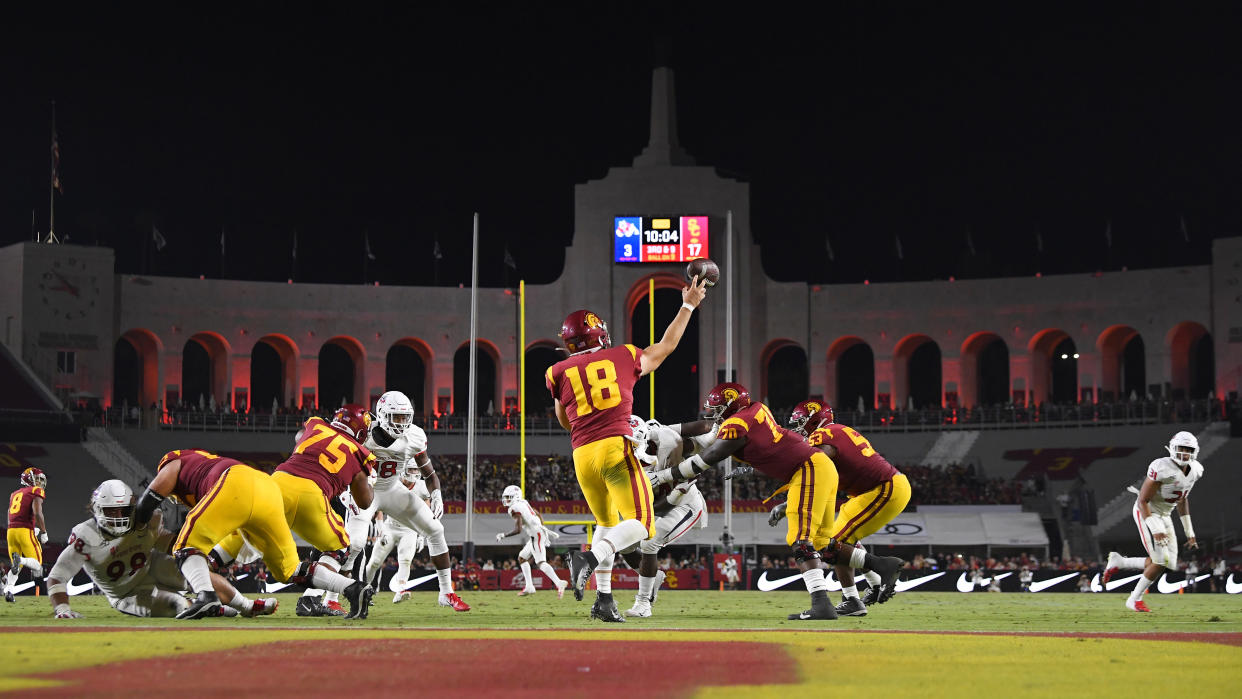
x=679 y=508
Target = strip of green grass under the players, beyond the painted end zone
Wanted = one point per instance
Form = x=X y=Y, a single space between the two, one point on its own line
x=727 y=611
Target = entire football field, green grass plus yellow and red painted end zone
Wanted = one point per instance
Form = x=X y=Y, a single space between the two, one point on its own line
x=699 y=644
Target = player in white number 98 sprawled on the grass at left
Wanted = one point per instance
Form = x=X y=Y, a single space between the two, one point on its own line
x=130 y=566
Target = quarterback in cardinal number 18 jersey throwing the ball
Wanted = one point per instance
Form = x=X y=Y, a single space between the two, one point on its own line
x=593 y=394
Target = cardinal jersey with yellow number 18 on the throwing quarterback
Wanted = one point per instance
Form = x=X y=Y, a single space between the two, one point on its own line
x=597 y=390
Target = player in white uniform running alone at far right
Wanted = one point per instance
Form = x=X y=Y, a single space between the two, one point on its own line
x=1167 y=486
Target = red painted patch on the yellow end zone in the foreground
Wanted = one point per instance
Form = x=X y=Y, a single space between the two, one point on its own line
x=377 y=666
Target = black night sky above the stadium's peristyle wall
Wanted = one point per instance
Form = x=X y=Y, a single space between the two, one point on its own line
x=861 y=127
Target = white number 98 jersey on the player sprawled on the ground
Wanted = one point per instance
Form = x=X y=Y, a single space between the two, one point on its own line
x=116 y=566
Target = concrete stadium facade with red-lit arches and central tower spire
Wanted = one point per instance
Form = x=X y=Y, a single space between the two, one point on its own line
x=69 y=299
